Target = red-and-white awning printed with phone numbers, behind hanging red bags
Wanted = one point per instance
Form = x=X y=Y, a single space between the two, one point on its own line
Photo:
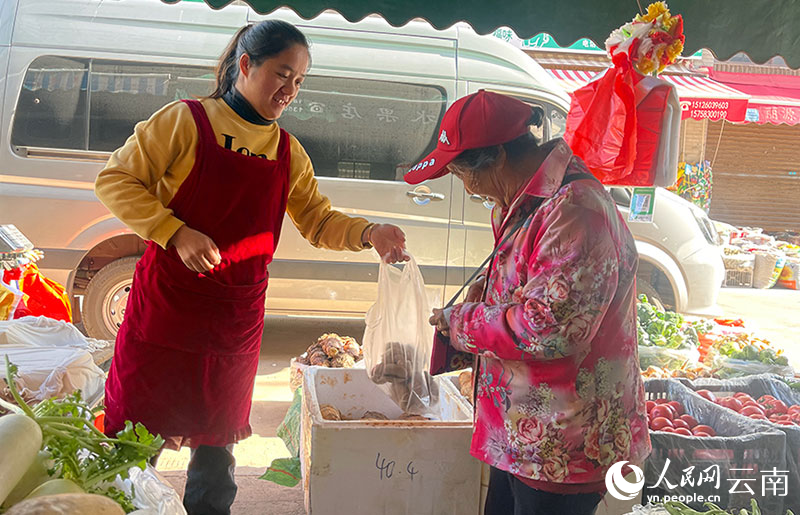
x=701 y=98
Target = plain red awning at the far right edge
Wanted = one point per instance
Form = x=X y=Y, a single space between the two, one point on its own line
x=773 y=98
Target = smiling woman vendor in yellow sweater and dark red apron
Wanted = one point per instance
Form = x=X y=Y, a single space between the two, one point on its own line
x=187 y=353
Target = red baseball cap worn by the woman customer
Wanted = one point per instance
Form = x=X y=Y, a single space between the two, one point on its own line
x=482 y=119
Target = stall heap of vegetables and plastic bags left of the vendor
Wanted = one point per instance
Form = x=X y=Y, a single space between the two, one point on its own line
x=54 y=454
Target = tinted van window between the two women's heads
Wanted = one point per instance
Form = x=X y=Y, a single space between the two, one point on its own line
x=365 y=129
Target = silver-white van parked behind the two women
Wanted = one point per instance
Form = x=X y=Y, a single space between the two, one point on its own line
x=78 y=74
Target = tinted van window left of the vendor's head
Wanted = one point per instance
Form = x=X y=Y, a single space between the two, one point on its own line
x=92 y=104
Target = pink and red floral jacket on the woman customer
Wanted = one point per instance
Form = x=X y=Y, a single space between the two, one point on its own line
x=559 y=395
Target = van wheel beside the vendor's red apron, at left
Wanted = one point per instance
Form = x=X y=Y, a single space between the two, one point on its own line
x=105 y=298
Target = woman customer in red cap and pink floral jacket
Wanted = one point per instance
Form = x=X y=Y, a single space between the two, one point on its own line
x=552 y=324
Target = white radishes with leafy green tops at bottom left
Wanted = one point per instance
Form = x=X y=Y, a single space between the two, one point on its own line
x=54 y=448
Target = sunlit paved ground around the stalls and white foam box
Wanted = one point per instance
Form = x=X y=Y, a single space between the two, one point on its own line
x=775 y=313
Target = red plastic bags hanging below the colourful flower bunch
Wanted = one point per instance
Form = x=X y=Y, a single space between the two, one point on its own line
x=625 y=126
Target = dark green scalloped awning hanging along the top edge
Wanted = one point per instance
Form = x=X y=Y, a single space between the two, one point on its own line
x=761 y=28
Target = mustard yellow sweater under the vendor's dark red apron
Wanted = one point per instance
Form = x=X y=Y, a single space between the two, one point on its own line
x=141 y=177
